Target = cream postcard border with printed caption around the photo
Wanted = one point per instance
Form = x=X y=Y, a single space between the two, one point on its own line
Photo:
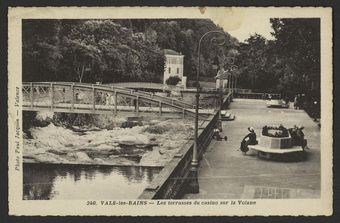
x=17 y=206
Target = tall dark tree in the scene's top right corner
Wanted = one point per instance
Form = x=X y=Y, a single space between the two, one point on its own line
x=298 y=46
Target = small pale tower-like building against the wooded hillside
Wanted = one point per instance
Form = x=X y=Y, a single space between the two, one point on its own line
x=173 y=66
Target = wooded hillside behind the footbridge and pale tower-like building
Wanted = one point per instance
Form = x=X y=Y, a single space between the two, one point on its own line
x=114 y=50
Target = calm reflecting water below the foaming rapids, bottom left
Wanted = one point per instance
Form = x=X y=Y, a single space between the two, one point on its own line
x=55 y=181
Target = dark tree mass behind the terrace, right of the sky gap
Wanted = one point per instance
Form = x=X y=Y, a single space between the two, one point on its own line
x=289 y=64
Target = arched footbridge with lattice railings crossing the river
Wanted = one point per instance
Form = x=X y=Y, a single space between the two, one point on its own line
x=100 y=99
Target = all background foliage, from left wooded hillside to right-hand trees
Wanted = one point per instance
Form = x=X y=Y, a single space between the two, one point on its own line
x=132 y=49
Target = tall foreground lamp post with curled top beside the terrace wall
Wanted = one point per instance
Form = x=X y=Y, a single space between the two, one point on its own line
x=194 y=187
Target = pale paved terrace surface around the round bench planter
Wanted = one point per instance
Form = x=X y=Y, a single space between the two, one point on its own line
x=225 y=173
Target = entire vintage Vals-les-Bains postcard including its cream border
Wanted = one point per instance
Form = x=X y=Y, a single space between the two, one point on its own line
x=175 y=111
